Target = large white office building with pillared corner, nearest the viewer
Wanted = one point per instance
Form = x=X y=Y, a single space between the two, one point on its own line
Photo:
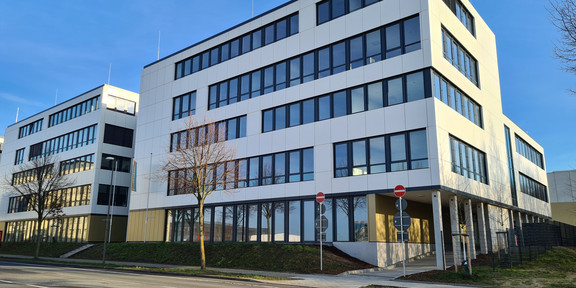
x=349 y=98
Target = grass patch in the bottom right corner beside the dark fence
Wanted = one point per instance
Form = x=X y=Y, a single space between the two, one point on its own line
x=556 y=268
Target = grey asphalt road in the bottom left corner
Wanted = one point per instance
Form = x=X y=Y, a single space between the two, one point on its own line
x=17 y=275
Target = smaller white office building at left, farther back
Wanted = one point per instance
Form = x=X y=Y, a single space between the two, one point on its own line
x=90 y=138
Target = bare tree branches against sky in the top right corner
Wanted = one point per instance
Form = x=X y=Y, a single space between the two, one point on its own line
x=563 y=14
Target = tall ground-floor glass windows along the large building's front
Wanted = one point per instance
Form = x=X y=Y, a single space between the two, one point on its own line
x=290 y=221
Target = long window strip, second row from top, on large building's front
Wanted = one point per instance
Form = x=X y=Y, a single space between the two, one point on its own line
x=322 y=62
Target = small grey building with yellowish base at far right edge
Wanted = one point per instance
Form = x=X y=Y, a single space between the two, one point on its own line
x=563 y=196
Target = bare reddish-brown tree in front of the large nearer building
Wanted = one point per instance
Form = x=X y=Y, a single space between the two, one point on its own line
x=199 y=165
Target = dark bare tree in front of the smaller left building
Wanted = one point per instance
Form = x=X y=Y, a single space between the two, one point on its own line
x=38 y=183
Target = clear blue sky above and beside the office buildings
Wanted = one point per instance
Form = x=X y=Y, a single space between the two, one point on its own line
x=65 y=48
